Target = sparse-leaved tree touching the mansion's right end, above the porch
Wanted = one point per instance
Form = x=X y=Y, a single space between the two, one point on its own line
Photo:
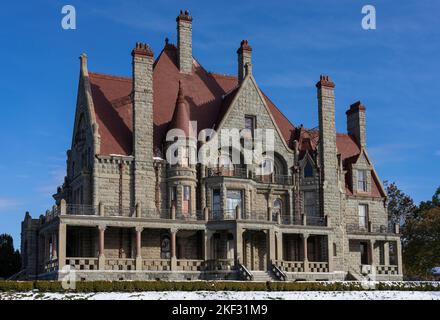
x=401 y=207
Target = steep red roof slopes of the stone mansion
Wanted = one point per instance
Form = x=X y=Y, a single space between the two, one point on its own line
x=207 y=98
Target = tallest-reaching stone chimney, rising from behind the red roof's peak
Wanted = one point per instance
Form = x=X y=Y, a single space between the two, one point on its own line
x=184 y=42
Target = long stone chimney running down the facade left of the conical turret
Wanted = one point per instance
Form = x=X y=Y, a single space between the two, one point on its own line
x=143 y=125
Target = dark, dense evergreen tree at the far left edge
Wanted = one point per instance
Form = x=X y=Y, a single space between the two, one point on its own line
x=10 y=261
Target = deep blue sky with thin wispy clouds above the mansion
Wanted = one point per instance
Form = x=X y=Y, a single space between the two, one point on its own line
x=394 y=70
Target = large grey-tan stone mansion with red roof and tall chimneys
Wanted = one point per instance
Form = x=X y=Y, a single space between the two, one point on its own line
x=124 y=212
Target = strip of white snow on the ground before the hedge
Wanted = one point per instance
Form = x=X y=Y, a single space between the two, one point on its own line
x=228 y=295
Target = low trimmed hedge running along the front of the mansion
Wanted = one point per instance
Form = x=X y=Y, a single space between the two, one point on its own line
x=137 y=286
